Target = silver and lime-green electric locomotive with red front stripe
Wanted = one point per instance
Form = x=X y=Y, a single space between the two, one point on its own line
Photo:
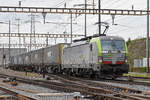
x=103 y=56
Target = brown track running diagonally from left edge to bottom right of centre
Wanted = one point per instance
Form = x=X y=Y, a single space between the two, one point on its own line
x=99 y=93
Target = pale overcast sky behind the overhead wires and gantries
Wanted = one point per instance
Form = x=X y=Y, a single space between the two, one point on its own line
x=127 y=26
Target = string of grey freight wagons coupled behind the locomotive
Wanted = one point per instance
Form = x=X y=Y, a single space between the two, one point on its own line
x=48 y=58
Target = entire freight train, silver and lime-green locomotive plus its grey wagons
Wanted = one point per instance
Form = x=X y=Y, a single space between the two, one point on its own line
x=103 y=56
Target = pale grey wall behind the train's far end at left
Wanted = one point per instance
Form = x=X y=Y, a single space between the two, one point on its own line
x=13 y=52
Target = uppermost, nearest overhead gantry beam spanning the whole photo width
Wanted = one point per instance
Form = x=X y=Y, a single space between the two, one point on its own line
x=72 y=11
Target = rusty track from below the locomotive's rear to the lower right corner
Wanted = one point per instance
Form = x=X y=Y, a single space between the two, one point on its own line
x=116 y=89
